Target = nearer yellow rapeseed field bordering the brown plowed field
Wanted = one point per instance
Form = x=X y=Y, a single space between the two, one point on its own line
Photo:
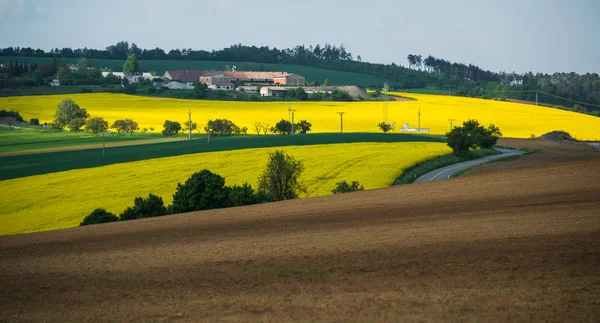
x=61 y=200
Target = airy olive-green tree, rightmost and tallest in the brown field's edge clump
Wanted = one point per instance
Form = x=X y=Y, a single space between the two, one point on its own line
x=280 y=179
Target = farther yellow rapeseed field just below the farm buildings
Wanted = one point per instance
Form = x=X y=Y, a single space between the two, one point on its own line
x=514 y=119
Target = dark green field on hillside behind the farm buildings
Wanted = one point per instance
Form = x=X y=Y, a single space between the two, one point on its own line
x=159 y=66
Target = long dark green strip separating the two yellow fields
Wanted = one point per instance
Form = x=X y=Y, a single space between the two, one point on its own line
x=35 y=164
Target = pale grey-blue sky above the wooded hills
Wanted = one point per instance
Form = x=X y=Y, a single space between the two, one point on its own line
x=506 y=35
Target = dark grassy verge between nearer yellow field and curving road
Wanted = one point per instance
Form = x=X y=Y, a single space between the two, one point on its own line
x=422 y=168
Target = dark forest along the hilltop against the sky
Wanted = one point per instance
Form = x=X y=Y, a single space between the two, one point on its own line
x=568 y=89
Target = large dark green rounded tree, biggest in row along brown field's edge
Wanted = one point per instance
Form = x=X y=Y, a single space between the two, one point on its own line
x=204 y=190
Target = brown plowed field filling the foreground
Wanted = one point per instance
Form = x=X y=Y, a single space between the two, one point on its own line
x=519 y=244
